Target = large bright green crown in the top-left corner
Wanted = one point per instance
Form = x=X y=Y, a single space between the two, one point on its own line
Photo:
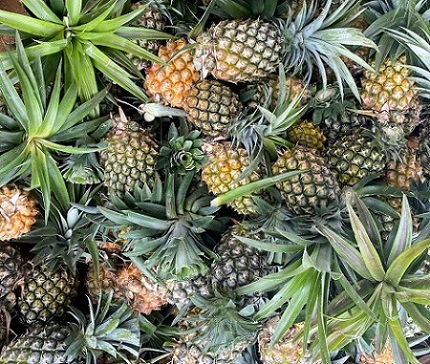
x=90 y=35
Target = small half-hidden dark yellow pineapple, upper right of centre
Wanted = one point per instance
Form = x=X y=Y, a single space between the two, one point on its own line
x=307 y=134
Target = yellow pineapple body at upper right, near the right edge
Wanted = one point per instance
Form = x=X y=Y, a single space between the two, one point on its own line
x=391 y=95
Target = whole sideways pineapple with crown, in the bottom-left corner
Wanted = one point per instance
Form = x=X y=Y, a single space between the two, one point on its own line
x=111 y=330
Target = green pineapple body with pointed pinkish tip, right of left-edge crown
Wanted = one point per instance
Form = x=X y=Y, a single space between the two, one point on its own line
x=129 y=158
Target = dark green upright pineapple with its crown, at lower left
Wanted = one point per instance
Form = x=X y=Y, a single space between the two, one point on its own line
x=50 y=280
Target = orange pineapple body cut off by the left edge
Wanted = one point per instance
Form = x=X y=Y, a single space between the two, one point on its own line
x=17 y=212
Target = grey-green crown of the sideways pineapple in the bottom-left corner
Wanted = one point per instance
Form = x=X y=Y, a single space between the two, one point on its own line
x=107 y=330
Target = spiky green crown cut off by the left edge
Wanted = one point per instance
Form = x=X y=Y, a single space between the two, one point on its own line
x=43 y=122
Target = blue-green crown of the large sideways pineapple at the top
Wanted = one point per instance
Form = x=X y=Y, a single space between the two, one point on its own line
x=312 y=40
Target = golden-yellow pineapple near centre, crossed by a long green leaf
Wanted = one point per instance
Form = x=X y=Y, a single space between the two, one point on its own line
x=222 y=170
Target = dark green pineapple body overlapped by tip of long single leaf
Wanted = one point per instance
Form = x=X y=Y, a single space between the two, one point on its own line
x=315 y=188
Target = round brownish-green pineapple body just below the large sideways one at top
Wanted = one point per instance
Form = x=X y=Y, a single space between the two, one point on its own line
x=211 y=107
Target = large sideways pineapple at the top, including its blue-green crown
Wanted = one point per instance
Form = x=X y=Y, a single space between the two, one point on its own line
x=252 y=49
